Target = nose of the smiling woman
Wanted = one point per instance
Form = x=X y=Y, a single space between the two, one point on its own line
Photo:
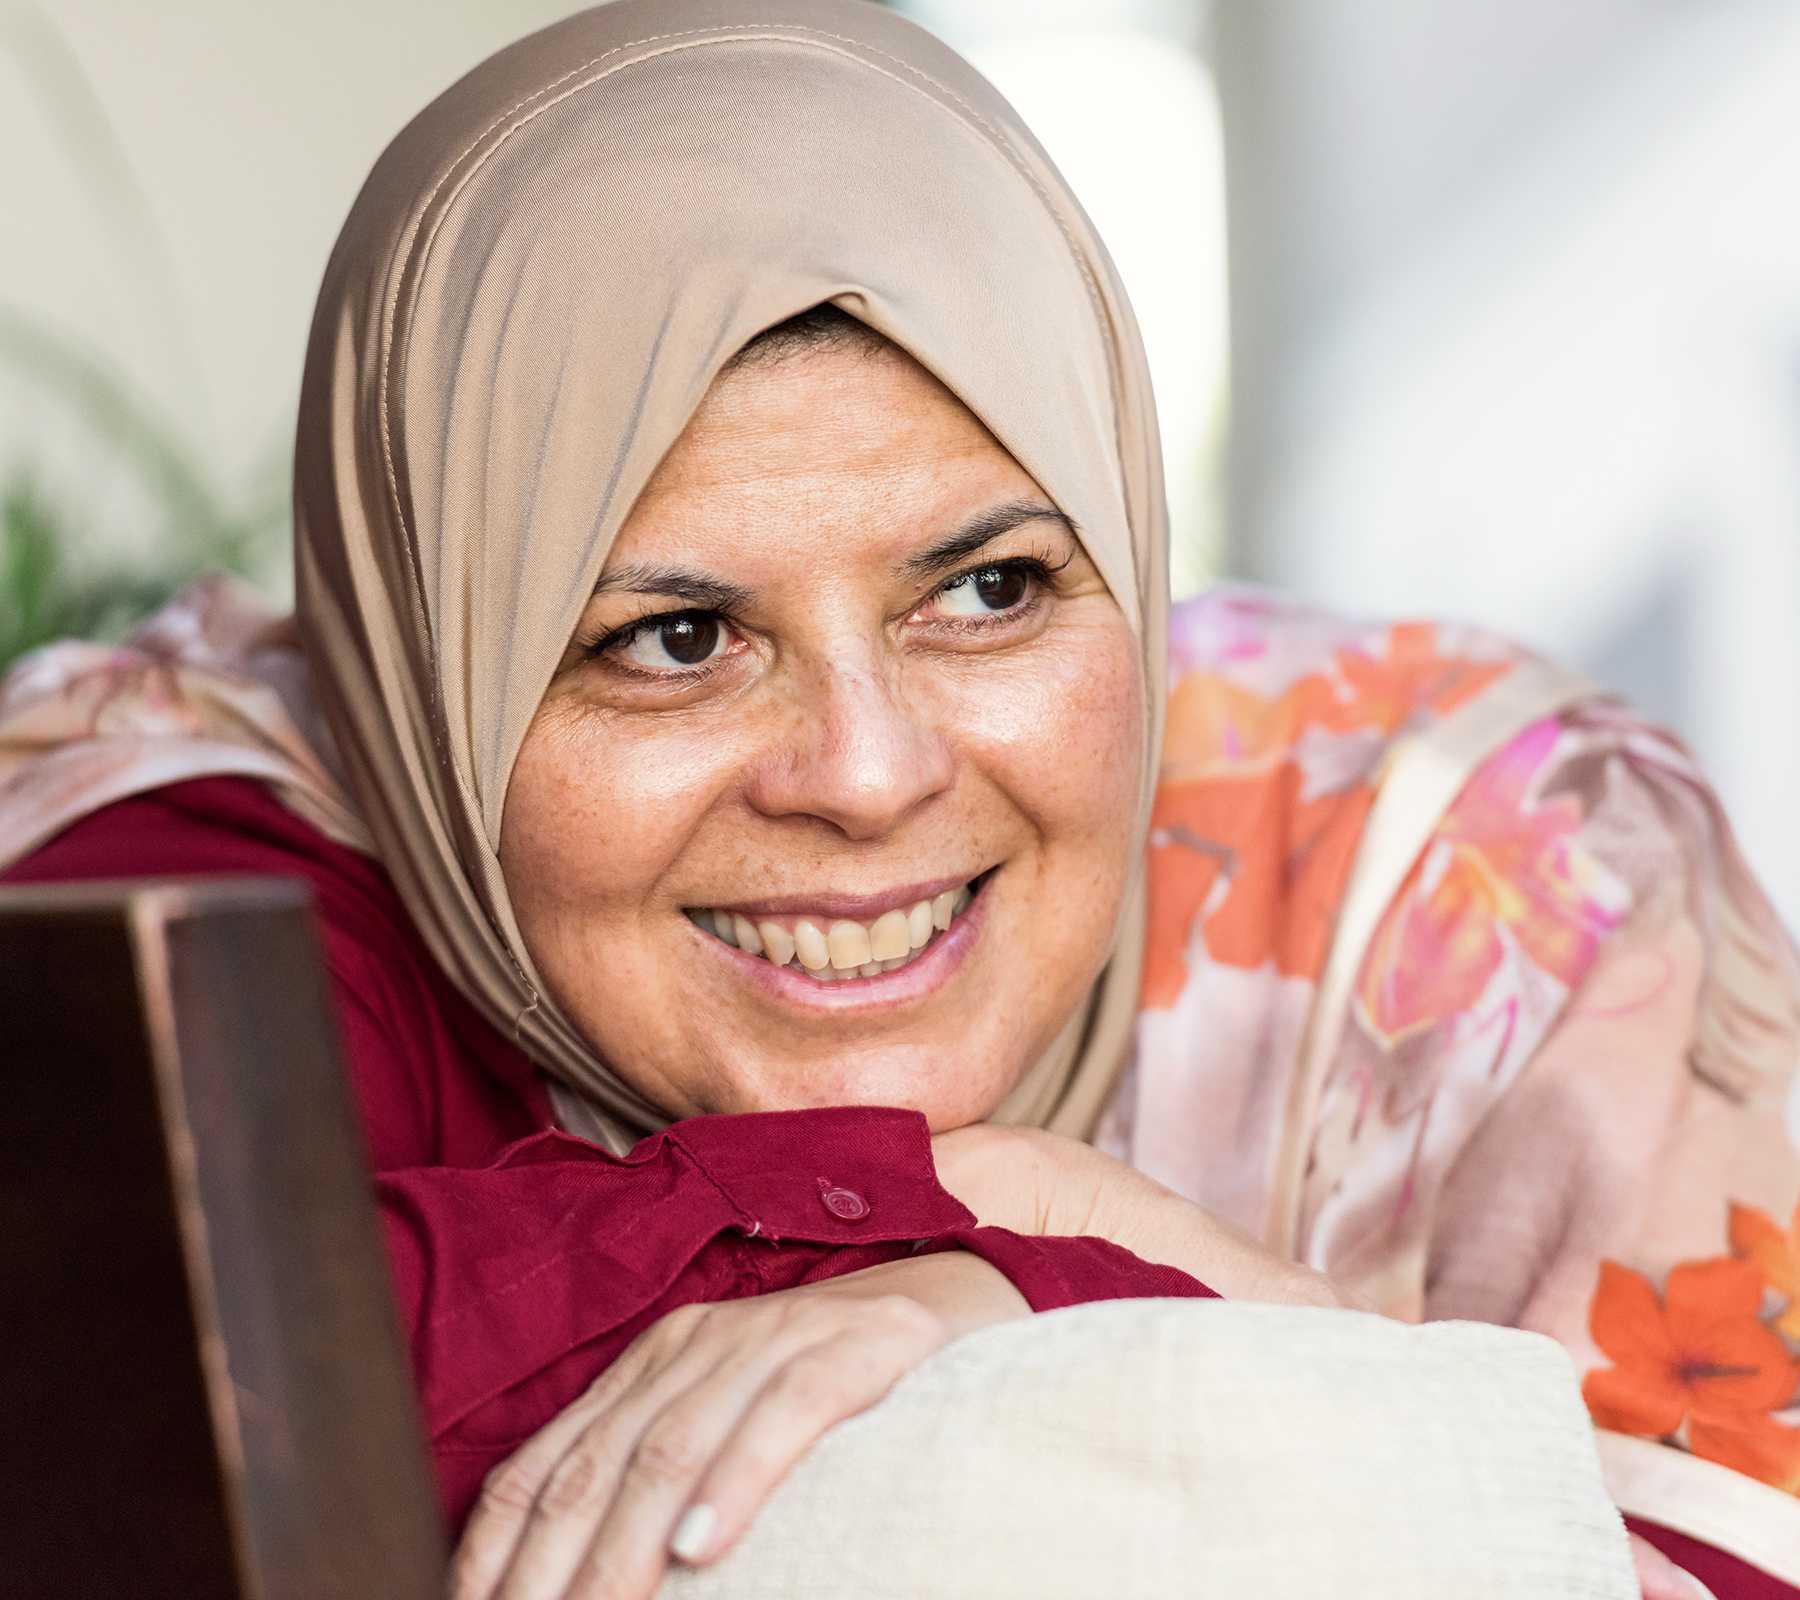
x=856 y=753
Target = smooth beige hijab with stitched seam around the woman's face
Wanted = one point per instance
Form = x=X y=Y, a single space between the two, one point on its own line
x=528 y=301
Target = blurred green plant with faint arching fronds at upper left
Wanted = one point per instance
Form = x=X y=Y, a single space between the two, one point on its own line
x=58 y=577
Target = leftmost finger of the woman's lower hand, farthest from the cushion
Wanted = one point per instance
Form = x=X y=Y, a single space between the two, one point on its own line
x=510 y=1495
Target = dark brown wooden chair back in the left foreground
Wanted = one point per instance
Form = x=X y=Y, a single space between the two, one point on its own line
x=202 y=1387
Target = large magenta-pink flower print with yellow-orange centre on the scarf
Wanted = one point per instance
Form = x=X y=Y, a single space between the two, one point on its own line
x=1500 y=865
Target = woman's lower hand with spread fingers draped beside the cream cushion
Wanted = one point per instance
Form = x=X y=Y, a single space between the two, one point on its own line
x=681 y=1441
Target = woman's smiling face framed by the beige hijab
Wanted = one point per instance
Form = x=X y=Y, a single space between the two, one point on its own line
x=849 y=676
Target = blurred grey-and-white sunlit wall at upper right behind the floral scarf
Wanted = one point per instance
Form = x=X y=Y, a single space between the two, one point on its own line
x=1516 y=328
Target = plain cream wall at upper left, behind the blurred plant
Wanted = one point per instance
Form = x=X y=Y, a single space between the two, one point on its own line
x=174 y=181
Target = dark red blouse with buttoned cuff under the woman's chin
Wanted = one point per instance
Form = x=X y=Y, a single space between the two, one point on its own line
x=526 y=1259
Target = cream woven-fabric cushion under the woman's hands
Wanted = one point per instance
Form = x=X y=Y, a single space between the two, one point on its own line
x=1196 y=1448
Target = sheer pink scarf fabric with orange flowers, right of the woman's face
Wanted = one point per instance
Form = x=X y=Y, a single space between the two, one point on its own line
x=1561 y=1095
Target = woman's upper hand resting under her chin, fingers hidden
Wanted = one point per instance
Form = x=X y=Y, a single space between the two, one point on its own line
x=1047 y=1185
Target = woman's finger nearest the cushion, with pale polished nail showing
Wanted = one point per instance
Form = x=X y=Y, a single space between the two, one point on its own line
x=813 y=1392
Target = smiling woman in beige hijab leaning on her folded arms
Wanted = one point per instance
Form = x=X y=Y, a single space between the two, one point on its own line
x=726 y=741
